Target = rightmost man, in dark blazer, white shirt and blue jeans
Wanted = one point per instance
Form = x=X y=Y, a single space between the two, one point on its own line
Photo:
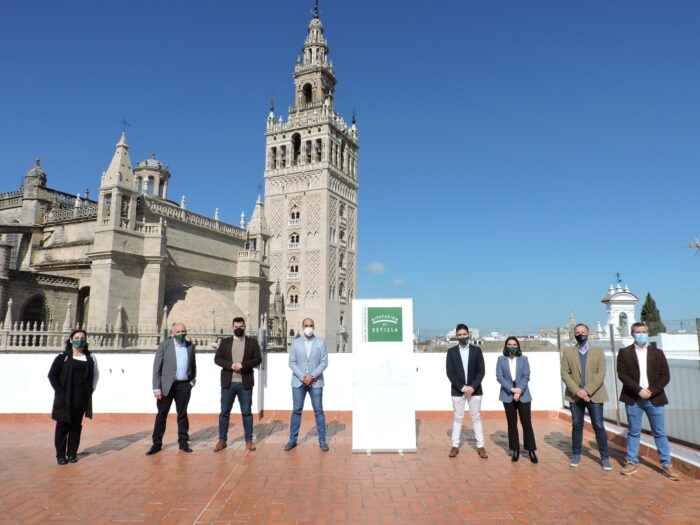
x=644 y=373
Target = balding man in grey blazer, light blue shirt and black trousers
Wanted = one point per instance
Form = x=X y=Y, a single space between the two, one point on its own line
x=174 y=374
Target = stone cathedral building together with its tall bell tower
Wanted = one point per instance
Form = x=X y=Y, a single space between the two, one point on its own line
x=134 y=261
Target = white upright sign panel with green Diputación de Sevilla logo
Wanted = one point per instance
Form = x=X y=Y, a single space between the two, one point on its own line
x=383 y=376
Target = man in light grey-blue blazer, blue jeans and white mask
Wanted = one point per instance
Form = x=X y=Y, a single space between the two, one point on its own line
x=308 y=358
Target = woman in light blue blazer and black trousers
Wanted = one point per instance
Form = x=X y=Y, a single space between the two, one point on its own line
x=513 y=374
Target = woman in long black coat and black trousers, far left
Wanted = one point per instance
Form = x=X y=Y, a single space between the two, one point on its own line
x=73 y=376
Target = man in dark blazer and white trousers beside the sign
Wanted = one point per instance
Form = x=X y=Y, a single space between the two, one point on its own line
x=466 y=370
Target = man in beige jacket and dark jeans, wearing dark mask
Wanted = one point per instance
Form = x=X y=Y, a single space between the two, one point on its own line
x=583 y=373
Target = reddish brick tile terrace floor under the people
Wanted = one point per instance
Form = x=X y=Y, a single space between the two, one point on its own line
x=115 y=482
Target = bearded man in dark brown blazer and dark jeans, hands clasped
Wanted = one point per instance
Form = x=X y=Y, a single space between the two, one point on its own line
x=237 y=356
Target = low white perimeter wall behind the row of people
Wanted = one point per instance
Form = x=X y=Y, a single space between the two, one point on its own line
x=125 y=383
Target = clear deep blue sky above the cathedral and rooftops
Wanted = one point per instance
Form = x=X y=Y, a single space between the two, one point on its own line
x=514 y=155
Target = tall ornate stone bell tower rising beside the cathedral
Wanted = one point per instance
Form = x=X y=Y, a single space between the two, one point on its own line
x=311 y=199
